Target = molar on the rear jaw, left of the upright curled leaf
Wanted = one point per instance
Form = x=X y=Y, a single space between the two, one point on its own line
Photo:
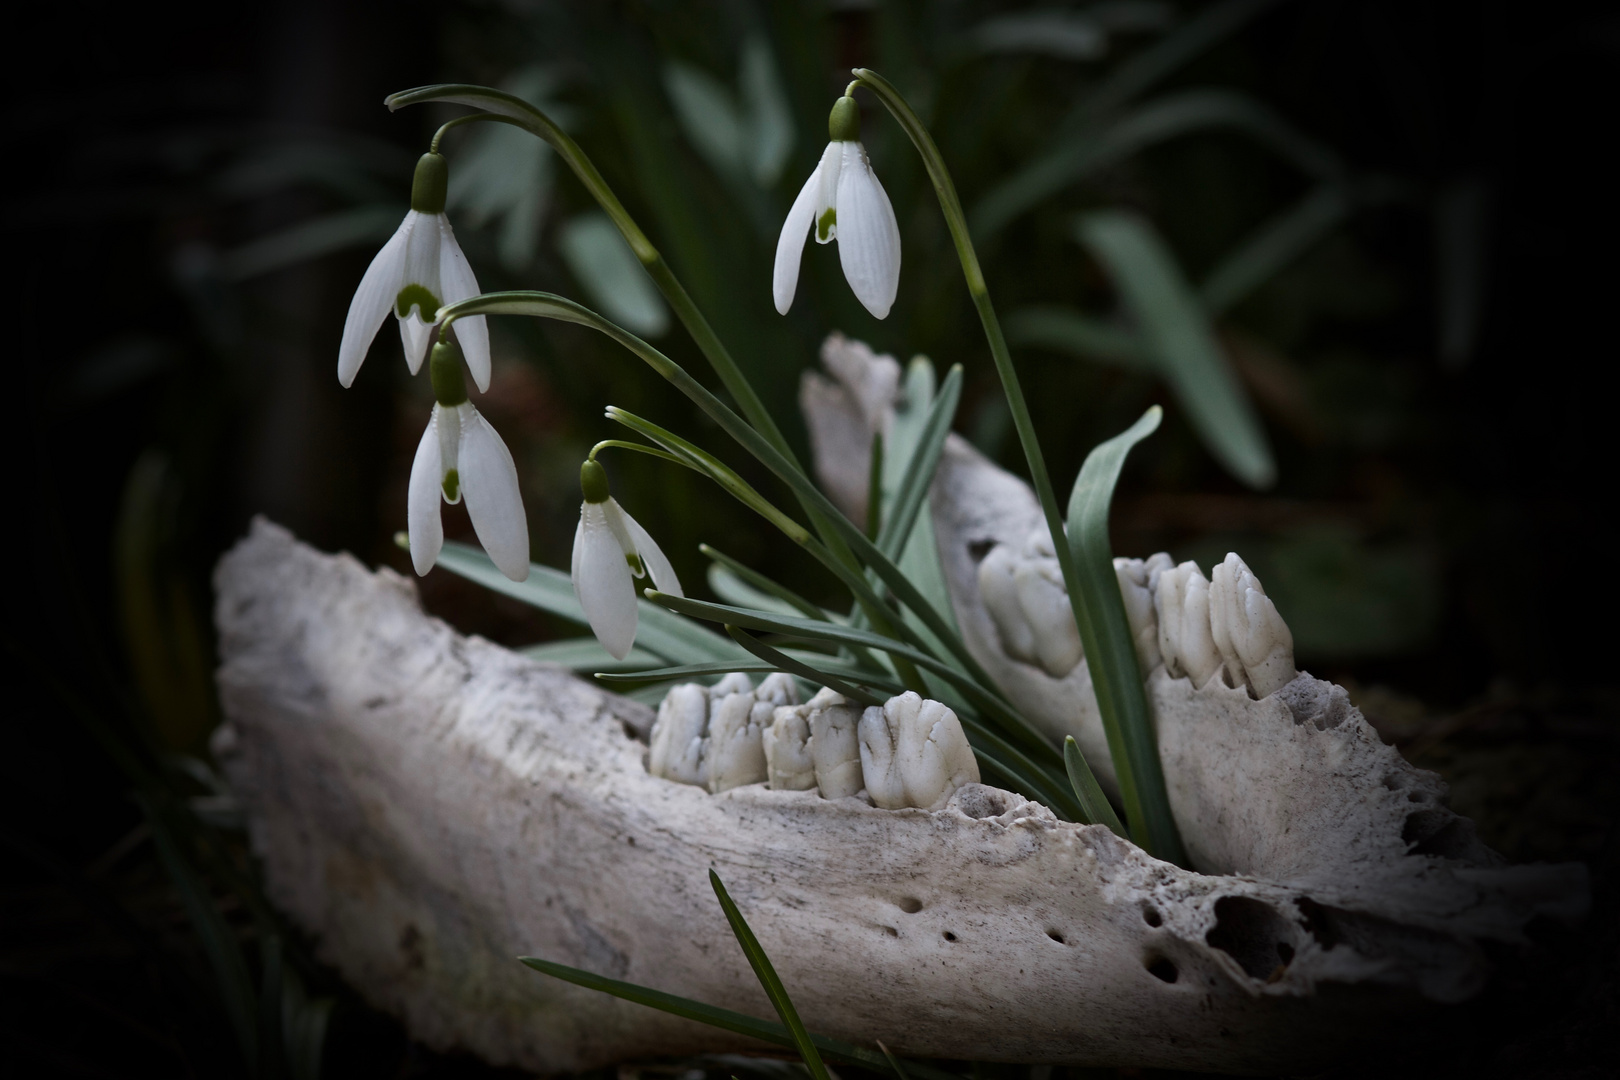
x=1026 y=600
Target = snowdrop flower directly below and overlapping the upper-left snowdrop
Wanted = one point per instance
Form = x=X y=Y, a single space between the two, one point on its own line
x=463 y=456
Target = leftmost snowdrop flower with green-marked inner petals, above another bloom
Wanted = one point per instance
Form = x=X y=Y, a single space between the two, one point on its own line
x=416 y=274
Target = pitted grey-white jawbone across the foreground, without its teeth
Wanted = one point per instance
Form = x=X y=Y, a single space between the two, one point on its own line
x=430 y=807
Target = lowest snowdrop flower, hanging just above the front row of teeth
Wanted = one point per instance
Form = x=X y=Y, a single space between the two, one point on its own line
x=610 y=550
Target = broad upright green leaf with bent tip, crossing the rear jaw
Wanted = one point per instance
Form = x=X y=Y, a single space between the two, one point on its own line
x=1106 y=634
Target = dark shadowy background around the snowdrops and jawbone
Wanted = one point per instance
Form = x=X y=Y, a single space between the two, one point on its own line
x=1436 y=535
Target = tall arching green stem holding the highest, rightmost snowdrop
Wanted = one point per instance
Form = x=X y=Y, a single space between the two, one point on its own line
x=1141 y=776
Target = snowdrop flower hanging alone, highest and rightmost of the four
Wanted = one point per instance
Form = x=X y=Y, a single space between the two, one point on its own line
x=843 y=200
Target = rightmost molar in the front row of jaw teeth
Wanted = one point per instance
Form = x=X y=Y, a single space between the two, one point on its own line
x=914 y=754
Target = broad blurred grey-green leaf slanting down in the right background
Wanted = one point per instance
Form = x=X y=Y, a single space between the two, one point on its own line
x=1182 y=341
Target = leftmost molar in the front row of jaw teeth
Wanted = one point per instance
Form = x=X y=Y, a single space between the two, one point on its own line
x=715 y=738
